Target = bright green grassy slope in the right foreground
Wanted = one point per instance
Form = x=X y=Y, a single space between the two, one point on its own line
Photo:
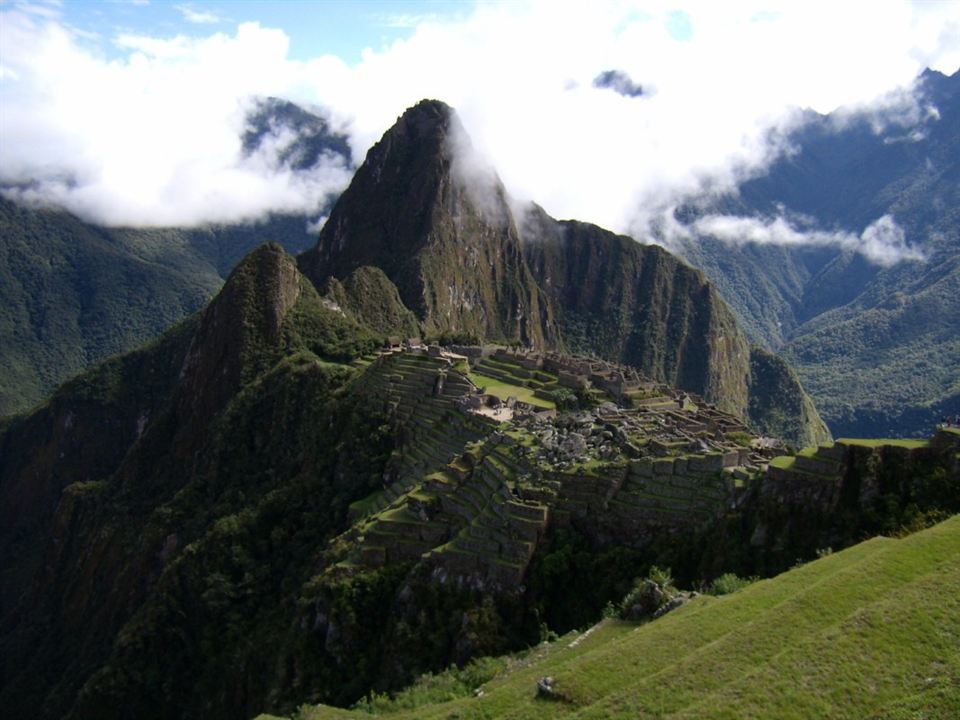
x=870 y=632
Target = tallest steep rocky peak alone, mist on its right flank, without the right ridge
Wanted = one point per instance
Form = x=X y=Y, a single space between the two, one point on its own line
x=426 y=210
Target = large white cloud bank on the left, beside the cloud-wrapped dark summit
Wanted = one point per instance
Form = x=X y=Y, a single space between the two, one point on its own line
x=154 y=139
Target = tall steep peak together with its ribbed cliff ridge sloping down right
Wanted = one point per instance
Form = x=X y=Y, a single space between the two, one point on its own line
x=425 y=210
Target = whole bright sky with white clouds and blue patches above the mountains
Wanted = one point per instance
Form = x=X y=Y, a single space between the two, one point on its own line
x=130 y=112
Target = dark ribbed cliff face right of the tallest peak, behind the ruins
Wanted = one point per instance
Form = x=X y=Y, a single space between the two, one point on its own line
x=639 y=305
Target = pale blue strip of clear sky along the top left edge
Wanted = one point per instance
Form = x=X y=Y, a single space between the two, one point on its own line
x=340 y=27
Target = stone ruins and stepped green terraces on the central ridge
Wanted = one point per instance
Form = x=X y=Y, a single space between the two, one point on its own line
x=474 y=493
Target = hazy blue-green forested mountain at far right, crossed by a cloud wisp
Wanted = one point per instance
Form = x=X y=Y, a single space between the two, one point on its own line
x=875 y=344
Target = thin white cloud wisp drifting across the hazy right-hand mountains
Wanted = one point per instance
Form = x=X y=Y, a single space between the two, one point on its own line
x=883 y=241
